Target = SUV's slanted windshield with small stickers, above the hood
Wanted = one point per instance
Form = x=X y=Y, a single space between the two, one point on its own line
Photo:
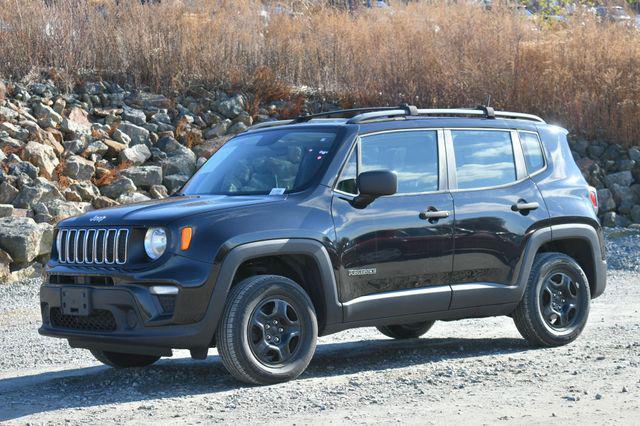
x=272 y=162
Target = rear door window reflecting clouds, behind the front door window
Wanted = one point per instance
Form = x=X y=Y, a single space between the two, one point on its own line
x=484 y=158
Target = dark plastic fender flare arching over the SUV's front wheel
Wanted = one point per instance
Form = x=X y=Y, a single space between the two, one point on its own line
x=239 y=254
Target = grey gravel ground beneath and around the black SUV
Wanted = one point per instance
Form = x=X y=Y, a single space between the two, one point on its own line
x=472 y=371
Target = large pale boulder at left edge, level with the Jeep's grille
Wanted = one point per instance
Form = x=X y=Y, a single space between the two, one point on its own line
x=24 y=239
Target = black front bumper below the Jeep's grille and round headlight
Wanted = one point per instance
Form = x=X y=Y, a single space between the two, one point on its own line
x=124 y=316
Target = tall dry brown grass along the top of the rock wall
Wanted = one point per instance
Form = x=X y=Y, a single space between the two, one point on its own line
x=584 y=76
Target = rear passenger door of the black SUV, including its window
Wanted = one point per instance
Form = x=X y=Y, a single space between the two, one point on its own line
x=497 y=207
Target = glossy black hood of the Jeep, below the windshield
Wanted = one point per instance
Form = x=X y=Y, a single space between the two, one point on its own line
x=164 y=211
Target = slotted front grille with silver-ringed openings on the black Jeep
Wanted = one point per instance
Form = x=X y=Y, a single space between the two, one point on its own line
x=93 y=246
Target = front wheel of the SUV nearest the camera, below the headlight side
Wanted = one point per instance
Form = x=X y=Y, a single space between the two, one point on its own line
x=268 y=330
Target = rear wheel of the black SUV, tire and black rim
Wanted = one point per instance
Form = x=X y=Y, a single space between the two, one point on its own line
x=555 y=306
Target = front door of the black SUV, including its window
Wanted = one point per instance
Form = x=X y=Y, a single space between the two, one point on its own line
x=396 y=253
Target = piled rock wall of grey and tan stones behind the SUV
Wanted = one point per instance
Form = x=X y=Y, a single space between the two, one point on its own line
x=101 y=145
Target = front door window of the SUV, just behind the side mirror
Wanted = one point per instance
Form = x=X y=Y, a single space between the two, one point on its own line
x=412 y=155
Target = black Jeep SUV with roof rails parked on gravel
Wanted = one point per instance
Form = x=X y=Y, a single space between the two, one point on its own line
x=295 y=229
